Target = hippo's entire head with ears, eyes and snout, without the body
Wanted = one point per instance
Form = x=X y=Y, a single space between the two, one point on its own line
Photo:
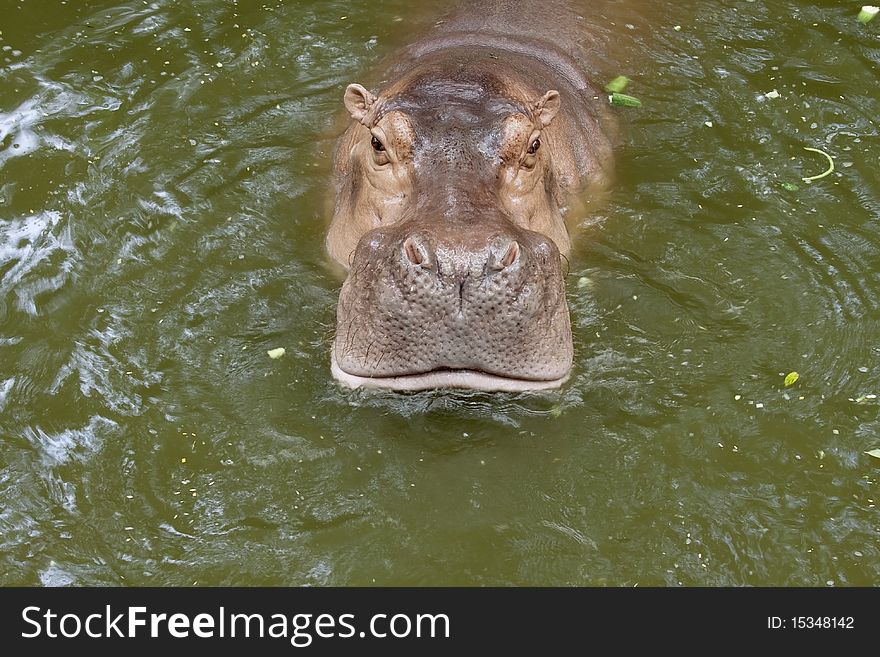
x=448 y=218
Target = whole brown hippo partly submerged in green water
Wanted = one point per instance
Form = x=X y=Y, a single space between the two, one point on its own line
x=452 y=184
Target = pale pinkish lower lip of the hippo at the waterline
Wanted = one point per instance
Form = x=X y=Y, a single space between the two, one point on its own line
x=451 y=378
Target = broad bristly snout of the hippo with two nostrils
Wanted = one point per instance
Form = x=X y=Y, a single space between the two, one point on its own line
x=475 y=305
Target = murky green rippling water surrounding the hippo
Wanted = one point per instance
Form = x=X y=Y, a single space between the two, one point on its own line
x=161 y=227
